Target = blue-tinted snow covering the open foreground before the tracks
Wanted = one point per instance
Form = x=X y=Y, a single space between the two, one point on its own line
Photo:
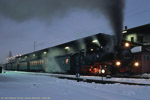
x=26 y=86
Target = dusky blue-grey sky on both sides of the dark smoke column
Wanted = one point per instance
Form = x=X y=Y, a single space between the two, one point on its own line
x=23 y=22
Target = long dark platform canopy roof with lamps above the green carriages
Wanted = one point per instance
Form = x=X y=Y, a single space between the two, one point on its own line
x=87 y=41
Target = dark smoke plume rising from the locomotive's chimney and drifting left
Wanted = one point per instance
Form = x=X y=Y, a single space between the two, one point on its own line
x=21 y=10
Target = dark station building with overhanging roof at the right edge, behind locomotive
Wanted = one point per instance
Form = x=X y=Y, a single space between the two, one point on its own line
x=140 y=37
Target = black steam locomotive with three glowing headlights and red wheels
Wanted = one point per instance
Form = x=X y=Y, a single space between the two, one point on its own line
x=120 y=61
